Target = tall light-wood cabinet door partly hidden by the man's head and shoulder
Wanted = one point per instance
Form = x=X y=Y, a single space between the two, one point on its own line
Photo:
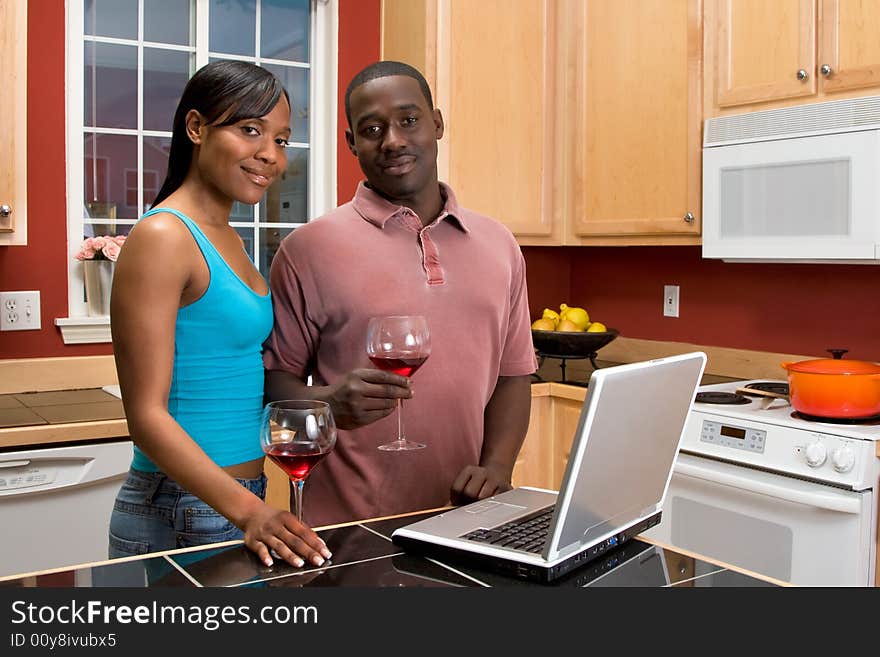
x=495 y=85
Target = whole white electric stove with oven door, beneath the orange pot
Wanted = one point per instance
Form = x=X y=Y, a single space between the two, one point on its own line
x=774 y=493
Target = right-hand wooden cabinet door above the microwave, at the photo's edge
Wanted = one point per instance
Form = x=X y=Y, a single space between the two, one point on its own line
x=849 y=56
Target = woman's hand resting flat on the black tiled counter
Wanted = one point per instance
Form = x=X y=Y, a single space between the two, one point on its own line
x=273 y=529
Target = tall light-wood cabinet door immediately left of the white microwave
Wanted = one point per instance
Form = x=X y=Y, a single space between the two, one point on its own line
x=636 y=170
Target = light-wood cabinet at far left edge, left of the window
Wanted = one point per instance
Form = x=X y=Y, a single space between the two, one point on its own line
x=13 y=118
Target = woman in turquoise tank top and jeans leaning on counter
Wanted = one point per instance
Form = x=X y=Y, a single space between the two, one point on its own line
x=189 y=315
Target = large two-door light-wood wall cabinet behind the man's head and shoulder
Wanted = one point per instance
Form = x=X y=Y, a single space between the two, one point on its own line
x=577 y=123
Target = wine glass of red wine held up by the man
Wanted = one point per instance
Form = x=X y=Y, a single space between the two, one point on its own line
x=399 y=344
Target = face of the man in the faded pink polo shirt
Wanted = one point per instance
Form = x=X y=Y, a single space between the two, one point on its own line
x=394 y=136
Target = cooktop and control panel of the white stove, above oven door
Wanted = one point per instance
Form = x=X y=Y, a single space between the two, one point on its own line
x=768 y=434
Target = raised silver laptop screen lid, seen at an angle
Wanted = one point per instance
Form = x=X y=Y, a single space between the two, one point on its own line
x=624 y=448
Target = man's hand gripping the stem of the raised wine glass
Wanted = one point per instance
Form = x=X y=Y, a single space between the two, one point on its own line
x=366 y=395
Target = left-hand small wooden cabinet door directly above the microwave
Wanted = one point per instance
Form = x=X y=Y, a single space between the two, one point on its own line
x=763 y=50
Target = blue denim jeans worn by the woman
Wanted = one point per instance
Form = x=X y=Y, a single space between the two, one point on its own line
x=153 y=513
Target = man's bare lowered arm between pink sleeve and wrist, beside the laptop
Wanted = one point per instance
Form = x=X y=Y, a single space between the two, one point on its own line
x=506 y=421
